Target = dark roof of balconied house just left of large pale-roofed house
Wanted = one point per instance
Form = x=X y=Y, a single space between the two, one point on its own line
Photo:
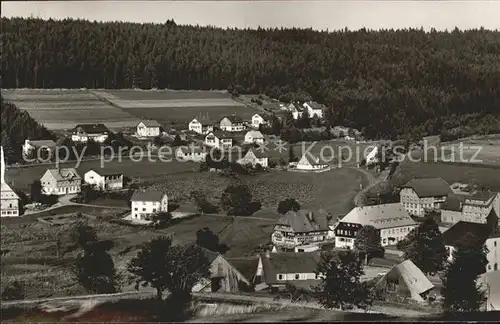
x=299 y=221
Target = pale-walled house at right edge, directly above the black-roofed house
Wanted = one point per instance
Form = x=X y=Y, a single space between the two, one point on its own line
x=474 y=207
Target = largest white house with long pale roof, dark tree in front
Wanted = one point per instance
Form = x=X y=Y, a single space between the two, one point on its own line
x=392 y=221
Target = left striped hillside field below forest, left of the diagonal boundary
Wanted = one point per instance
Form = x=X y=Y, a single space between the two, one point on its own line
x=64 y=109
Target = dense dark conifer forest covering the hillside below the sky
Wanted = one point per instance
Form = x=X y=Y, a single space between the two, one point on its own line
x=385 y=83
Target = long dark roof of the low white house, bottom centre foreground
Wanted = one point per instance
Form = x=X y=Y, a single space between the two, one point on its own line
x=288 y=262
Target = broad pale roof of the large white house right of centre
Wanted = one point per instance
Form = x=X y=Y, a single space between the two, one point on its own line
x=380 y=216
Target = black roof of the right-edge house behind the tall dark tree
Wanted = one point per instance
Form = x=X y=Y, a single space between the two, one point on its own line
x=456 y=234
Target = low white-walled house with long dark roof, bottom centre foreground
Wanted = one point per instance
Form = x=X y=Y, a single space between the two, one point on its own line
x=275 y=270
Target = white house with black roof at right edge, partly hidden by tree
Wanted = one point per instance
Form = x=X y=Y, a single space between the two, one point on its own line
x=486 y=234
